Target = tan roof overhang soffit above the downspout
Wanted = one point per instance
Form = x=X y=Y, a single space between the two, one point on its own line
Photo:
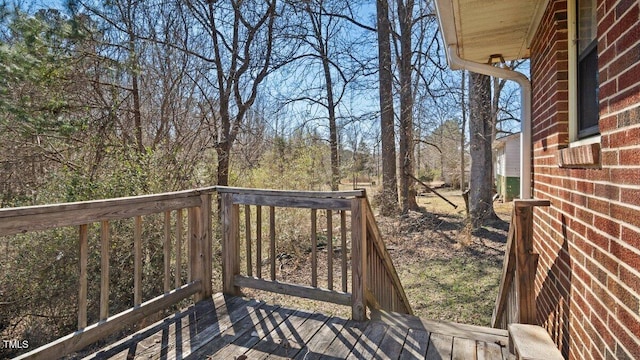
x=485 y=31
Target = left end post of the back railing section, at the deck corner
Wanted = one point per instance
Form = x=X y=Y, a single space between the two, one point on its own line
x=230 y=244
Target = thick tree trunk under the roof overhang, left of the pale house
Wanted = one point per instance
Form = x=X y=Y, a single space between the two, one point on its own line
x=480 y=129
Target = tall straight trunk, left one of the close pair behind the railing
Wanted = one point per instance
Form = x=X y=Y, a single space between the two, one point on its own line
x=389 y=197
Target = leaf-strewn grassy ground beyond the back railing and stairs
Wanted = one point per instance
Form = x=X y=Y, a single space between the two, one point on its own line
x=448 y=272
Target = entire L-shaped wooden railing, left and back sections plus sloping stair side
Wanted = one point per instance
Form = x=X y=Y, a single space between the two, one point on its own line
x=374 y=281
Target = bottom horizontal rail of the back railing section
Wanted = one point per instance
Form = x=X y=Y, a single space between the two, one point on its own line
x=303 y=291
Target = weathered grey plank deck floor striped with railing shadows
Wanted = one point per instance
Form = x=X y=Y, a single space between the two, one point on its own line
x=224 y=327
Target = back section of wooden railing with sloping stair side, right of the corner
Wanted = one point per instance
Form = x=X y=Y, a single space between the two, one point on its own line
x=374 y=281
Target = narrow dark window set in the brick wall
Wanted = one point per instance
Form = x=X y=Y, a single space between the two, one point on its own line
x=588 y=108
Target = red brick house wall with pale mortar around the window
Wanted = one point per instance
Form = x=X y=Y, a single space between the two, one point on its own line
x=588 y=279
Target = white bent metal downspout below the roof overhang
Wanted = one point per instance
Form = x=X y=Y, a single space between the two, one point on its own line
x=525 y=99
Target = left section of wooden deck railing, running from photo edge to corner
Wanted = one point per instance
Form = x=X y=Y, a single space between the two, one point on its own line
x=198 y=250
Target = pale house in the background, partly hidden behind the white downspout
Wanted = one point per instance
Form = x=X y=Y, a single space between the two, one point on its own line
x=507 y=168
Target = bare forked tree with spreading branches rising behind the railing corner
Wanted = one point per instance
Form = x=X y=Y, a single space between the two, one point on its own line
x=242 y=42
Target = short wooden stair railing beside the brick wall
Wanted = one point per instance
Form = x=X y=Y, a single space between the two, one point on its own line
x=516 y=296
